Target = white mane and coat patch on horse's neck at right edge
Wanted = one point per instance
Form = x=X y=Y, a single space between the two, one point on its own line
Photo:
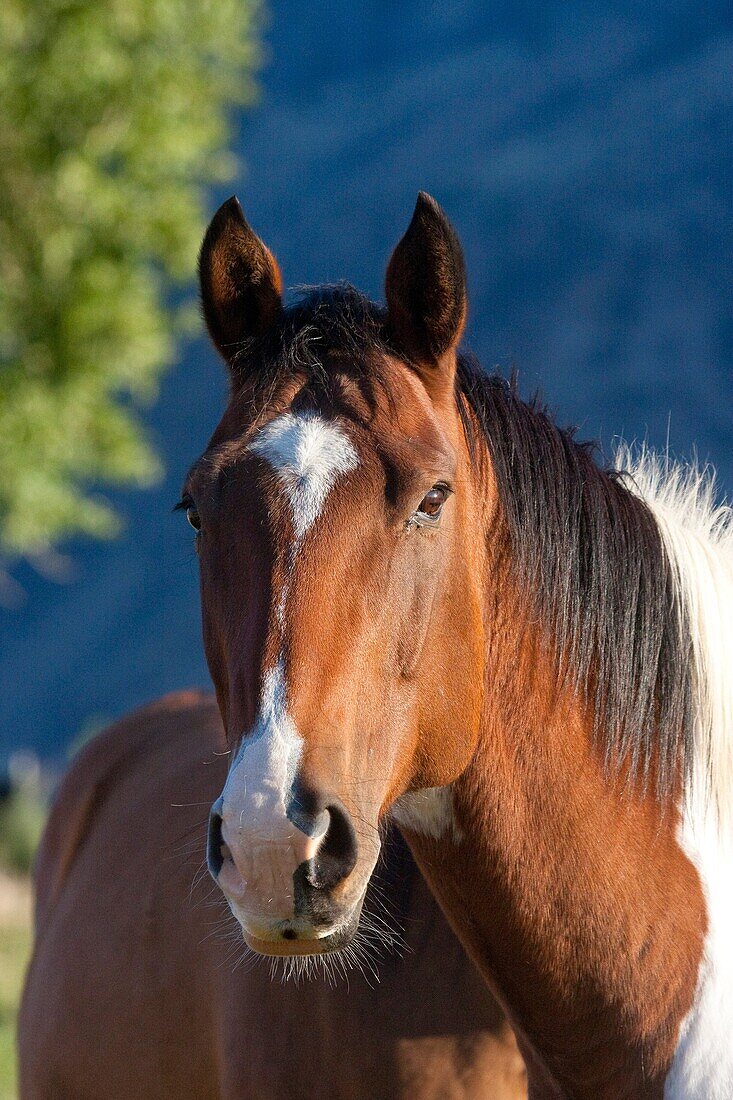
x=698 y=537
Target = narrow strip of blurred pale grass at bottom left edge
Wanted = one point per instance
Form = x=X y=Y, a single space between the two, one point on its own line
x=16 y=937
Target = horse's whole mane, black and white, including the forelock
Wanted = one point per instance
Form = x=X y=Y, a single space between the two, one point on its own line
x=597 y=548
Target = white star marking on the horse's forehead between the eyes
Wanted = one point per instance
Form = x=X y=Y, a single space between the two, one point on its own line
x=309 y=455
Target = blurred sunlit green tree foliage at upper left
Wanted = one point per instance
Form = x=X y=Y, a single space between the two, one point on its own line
x=114 y=120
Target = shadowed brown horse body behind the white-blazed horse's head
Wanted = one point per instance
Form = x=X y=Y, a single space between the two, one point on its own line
x=138 y=986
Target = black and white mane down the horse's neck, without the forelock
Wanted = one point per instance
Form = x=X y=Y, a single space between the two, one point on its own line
x=630 y=568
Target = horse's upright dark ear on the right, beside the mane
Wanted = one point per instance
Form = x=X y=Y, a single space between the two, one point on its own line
x=426 y=294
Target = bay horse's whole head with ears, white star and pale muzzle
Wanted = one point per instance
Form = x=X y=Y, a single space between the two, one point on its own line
x=340 y=543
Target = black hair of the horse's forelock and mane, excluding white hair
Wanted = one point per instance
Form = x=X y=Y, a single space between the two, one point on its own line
x=587 y=551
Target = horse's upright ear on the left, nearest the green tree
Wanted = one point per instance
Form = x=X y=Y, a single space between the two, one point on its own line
x=240 y=281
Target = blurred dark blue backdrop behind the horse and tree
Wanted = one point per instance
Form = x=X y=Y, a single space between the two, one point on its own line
x=584 y=153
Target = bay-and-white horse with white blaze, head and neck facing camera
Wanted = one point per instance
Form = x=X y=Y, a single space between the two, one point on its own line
x=424 y=601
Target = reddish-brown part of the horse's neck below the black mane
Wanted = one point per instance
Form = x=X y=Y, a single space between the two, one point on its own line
x=573 y=896
